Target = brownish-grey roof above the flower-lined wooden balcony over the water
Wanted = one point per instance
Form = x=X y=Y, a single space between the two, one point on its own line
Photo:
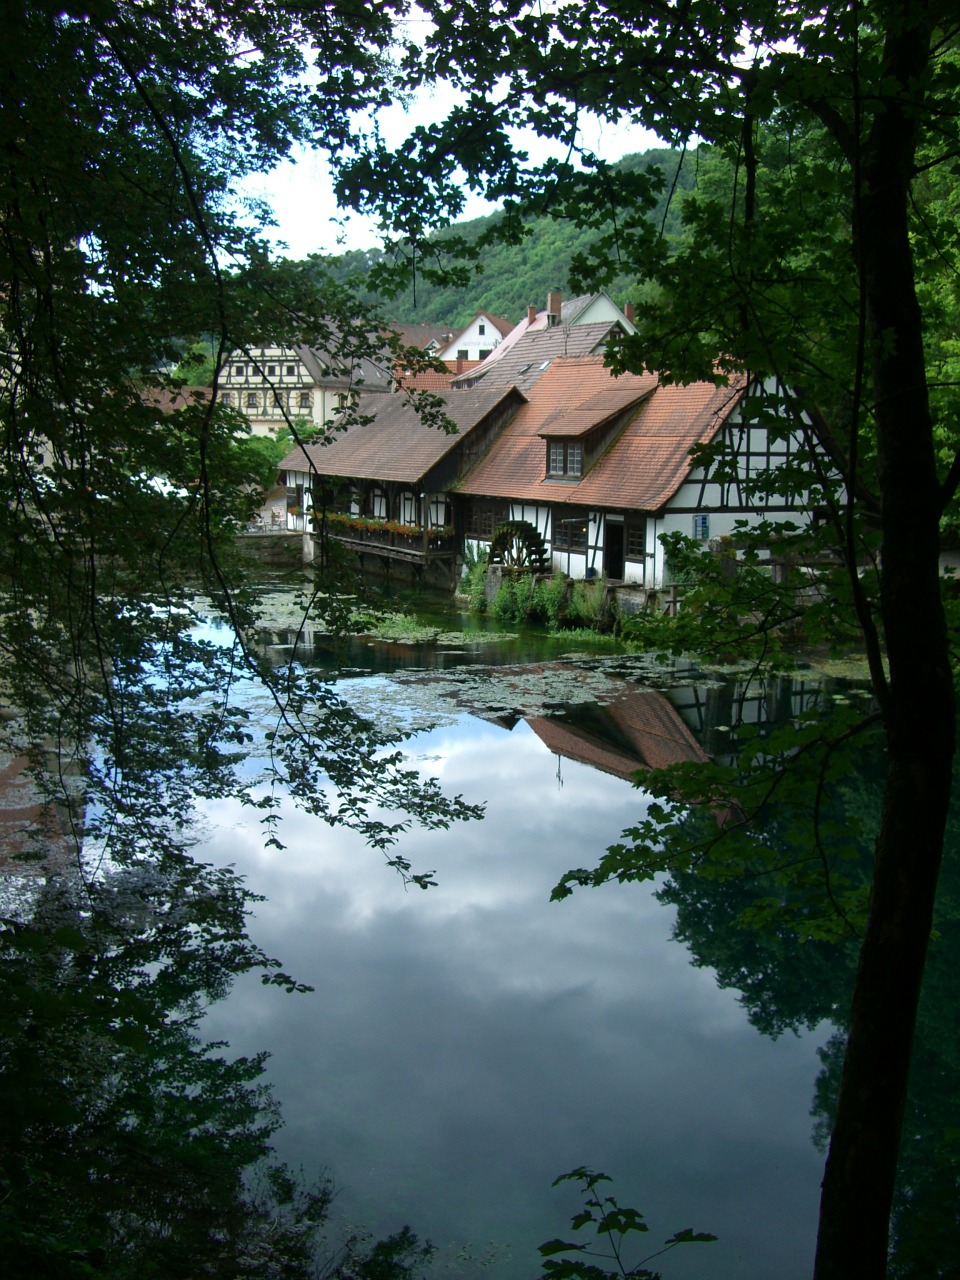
x=397 y=445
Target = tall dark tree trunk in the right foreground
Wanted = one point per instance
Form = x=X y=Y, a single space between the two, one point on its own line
x=918 y=705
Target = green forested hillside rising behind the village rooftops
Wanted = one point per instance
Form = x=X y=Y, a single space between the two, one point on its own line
x=514 y=276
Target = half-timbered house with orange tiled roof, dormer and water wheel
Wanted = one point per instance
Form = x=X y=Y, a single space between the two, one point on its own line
x=601 y=468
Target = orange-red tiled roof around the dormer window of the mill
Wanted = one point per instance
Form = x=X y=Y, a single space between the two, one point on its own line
x=641 y=472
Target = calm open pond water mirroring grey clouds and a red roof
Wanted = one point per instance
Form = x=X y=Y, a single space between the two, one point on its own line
x=467 y=1045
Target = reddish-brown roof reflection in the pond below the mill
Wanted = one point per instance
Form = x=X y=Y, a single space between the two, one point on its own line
x=638 y=730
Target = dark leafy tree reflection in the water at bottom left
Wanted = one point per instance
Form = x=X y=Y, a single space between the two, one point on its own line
x=129 y=1146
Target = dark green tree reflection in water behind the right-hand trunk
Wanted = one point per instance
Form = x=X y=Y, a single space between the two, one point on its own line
x=793 y=982
